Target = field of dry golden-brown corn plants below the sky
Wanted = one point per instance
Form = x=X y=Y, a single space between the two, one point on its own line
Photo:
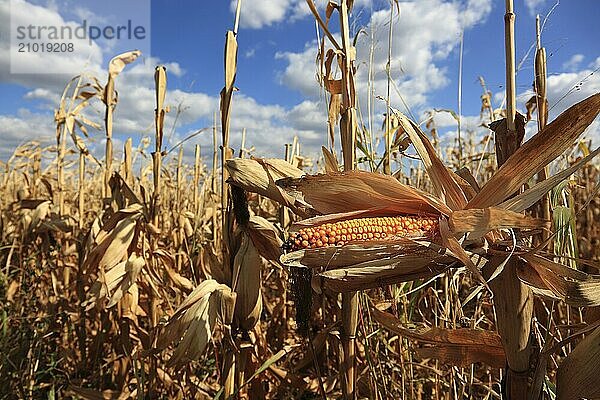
x=469 y=272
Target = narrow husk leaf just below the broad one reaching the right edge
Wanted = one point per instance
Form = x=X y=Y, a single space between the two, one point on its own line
x=529 y=197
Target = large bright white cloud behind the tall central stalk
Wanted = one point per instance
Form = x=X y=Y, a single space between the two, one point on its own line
x=420 y=43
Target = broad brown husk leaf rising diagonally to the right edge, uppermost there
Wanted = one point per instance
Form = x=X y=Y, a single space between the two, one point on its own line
x=537 y=152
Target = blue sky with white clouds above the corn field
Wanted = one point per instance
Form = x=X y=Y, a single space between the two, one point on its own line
x=278 y=95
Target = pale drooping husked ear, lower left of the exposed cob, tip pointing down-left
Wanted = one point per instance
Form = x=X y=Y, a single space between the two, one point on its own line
x=192 y=324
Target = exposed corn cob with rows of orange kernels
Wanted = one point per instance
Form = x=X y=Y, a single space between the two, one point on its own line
x=361 y=229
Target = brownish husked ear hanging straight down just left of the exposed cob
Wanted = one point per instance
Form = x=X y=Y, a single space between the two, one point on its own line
x=247 y=284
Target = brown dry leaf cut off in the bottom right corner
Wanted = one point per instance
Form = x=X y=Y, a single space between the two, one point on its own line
x=577 y=375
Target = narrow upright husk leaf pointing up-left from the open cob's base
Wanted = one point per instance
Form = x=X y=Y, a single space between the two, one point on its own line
x=445 y=186
